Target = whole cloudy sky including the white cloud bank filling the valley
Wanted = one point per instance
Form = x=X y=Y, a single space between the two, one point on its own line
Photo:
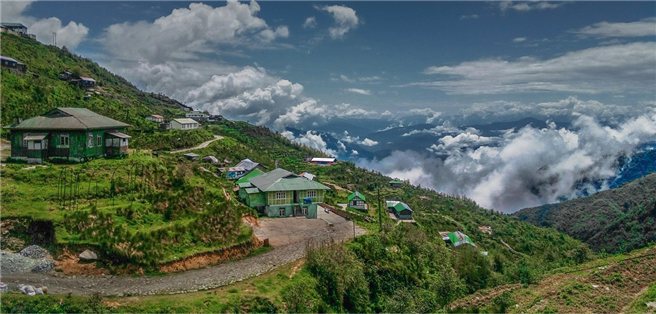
x=302 y=64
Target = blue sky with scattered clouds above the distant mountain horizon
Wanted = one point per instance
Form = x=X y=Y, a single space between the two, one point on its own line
x=437 y=57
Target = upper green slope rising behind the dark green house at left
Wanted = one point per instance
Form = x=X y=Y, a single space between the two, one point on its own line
x=30 y=95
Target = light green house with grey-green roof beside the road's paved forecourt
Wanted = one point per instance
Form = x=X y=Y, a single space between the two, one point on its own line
x=280 y=193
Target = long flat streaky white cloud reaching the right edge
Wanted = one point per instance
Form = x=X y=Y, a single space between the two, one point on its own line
x=609 y=69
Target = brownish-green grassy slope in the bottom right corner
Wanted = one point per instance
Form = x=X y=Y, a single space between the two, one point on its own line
x=620 y=283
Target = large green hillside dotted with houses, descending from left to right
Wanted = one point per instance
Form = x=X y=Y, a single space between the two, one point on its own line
x=144 y=210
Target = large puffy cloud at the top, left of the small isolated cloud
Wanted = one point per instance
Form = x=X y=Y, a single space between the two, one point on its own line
x=187 y=31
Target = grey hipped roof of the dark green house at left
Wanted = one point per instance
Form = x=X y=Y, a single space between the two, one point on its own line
x=69 y=119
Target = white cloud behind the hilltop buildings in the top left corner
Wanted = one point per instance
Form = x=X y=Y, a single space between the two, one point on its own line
x=70 y=35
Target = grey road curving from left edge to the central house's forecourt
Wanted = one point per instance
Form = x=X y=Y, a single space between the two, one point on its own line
x=286 y=251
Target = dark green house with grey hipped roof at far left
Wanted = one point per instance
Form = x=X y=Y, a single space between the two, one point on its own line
x=68 y=134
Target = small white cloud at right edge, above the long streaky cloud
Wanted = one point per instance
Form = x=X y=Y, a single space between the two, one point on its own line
x=644 y=27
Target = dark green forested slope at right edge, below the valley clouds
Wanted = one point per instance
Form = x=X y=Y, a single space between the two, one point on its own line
x=617 y=220
